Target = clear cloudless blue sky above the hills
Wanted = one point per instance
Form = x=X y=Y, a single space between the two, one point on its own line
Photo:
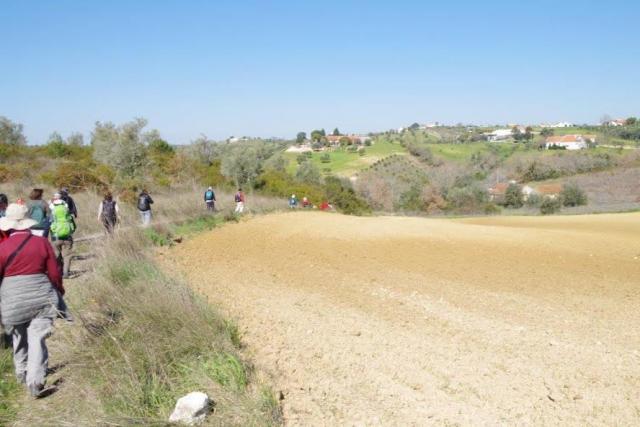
x=272 y=68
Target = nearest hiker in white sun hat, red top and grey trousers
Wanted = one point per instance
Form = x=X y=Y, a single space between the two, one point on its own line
x=30 y=296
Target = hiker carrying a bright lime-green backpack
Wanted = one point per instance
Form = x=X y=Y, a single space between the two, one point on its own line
x=62 y=229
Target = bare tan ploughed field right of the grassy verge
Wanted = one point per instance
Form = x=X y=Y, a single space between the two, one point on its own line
x=402 y=321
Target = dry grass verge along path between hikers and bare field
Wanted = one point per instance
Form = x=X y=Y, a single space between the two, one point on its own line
x=142 y=339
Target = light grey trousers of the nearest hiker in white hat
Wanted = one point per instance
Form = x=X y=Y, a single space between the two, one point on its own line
x=30 y=354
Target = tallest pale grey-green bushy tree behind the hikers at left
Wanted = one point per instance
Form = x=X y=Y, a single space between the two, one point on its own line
x=121 y=147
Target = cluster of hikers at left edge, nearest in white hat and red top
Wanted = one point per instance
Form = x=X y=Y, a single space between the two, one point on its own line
x=32 y=271
